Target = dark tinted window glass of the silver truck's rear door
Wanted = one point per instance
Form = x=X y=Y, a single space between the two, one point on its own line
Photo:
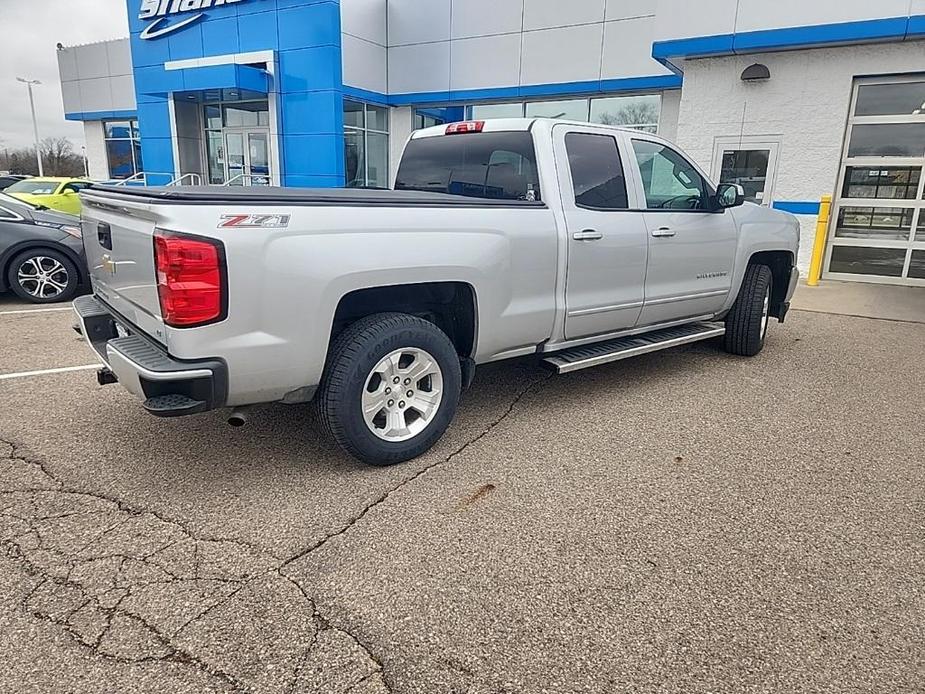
x=597 y=172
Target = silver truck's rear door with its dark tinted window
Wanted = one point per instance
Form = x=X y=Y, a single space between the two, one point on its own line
x=607 y=243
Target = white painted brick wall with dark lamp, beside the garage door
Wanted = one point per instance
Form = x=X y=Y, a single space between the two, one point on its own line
x=805 y=104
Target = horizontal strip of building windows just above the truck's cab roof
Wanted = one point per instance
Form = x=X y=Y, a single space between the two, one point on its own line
x=639 y=112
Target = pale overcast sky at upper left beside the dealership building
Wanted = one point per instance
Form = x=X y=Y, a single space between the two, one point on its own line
x=30 y=31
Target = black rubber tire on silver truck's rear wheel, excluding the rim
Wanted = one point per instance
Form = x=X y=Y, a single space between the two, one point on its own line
x=351 y=360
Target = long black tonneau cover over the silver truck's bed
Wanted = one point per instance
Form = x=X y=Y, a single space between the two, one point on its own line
x=269 y=195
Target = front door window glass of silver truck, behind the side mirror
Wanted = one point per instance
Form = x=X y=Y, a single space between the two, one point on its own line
x=669 y=180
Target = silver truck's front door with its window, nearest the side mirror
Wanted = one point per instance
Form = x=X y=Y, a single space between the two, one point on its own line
x=691 y=249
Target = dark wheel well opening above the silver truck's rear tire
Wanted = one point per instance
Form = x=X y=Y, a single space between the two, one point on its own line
x=452 y=306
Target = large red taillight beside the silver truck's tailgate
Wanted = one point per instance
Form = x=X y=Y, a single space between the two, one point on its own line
x=190 y=279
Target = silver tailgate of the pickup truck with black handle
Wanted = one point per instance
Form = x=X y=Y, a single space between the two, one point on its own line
x=118 y=241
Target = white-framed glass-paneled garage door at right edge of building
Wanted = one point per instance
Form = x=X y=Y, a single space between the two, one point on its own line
x=879 y=222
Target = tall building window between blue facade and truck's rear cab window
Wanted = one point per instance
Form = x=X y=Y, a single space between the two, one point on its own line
x=366 y=145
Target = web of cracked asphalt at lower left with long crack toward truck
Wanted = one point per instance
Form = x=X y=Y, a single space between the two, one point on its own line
x=145 y=588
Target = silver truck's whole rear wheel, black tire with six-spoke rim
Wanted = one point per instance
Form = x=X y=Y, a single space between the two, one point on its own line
x=390 y=388
